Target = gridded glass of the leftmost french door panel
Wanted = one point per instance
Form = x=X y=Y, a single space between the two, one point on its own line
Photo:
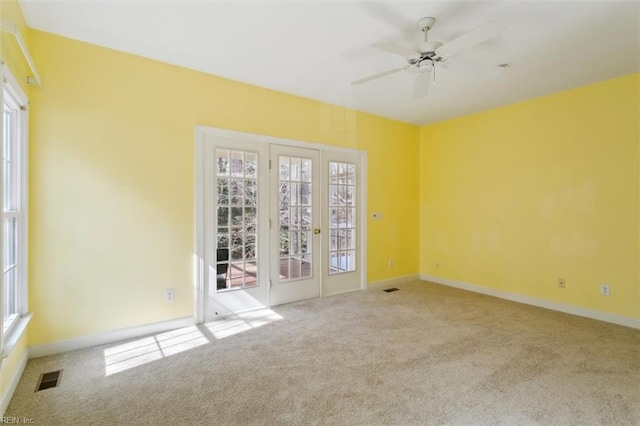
x=236 y=219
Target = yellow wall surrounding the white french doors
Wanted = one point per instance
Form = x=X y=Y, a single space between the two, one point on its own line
x=112 y=181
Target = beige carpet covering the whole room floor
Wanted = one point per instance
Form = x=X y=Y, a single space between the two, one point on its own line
x=425 y=354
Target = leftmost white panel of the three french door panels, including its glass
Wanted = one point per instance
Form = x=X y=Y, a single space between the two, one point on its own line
x=236 y=226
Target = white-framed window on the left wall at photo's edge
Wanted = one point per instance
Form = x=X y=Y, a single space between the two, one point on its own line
x=13 y=194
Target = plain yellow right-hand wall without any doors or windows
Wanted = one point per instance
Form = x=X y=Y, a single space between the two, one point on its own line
x=516 y=197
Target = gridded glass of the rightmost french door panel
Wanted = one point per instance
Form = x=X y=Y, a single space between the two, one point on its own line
x=342 y=217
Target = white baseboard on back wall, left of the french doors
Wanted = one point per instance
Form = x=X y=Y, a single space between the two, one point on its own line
x=38 y=351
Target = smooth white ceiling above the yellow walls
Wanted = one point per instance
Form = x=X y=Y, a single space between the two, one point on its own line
x=315 y=49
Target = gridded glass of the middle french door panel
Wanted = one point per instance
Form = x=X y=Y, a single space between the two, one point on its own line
x=294 y=218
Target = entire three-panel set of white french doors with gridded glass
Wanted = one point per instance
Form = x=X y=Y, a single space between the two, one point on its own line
x=275 y=223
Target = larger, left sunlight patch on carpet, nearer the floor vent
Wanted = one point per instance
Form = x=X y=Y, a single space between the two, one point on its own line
x=147 y=349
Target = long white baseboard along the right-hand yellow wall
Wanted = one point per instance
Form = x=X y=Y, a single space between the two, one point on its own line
x=542 y=303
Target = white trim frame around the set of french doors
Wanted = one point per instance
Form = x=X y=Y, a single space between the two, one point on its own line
x=201 y=132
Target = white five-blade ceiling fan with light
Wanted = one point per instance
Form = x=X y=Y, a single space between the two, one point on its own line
x=433 y=54
